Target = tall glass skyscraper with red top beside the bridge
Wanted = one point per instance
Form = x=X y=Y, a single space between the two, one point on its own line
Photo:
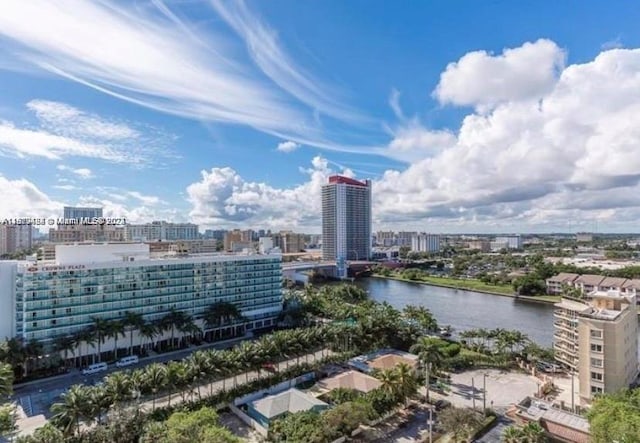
x=346 y=219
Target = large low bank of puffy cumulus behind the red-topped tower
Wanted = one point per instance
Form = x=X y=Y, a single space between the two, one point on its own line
x=562 y=161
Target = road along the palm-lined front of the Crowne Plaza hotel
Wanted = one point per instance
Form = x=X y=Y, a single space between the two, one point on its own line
x=37 y=396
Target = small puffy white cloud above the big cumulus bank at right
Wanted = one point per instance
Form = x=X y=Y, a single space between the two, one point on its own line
x=482 y=79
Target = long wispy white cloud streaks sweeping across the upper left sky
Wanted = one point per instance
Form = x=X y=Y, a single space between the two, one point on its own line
x=153 y=57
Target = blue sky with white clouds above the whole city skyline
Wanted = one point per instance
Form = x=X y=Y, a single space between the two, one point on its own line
x=493 y=116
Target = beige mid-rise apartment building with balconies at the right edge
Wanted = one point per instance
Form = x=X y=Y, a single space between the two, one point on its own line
x=598 y=338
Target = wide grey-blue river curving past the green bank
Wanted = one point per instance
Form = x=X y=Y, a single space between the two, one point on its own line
x=465 y=310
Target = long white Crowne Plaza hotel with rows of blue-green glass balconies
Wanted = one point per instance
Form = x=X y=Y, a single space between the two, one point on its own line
x=43 y=301
